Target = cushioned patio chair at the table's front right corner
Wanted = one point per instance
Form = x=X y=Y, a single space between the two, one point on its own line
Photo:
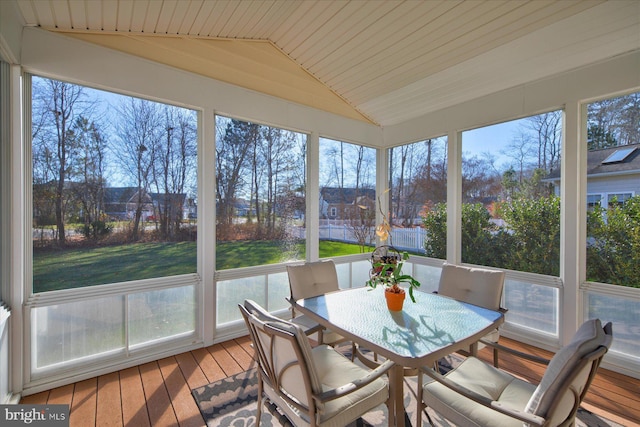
x=478 y=394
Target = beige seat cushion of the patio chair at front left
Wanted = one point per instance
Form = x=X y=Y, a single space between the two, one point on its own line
x=335 y=370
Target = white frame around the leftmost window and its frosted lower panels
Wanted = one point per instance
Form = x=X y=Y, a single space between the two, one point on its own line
x=47 y=377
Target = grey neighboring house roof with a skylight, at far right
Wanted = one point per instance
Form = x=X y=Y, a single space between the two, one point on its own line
x=625 y=160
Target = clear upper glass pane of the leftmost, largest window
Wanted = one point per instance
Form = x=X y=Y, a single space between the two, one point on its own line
x=114 y=187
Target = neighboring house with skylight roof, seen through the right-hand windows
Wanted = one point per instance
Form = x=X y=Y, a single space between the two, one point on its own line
x=613 y=174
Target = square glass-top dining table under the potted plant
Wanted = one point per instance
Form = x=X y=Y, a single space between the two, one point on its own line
x=423 y=332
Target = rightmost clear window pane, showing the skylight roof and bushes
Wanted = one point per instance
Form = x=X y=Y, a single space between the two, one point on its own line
x=613 y=169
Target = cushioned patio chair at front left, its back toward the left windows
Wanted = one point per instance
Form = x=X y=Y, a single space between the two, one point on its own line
x=312 y=387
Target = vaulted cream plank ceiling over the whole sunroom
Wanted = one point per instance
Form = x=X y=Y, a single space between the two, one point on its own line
x=385 y=62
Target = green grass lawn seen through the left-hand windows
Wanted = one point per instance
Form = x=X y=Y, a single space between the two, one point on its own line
x=78 y=267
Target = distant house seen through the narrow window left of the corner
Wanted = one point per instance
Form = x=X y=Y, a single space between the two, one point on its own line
x=343 y=203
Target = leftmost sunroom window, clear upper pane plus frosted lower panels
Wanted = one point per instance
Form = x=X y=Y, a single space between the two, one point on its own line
x=114 y=196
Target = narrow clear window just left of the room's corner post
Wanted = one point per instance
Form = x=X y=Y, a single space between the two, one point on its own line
x=347 y=198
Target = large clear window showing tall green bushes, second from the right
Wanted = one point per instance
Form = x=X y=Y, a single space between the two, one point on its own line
x=510 y=210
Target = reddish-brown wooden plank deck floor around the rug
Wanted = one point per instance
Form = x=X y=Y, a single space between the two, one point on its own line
x=159 y=393
